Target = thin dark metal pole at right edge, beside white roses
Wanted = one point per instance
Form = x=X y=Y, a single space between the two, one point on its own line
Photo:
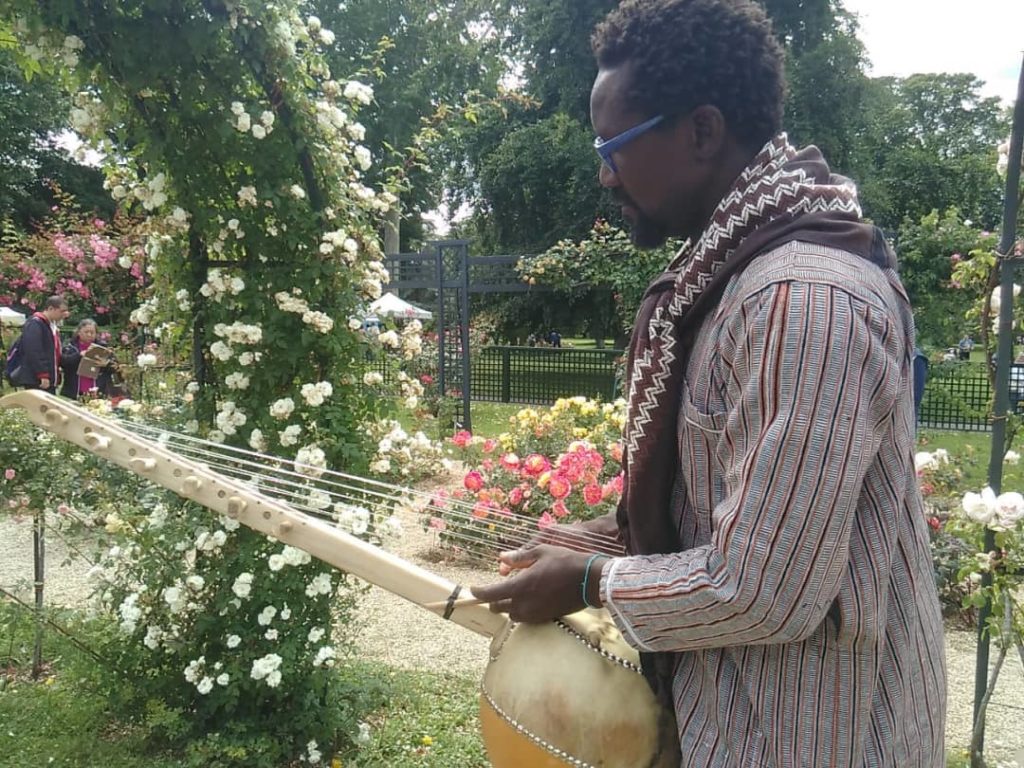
x=1002 y=405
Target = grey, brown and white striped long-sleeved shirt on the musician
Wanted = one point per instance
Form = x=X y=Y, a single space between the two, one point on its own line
x=803 y=607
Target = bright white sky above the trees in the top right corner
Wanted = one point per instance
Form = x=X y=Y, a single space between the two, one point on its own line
x=984 y=37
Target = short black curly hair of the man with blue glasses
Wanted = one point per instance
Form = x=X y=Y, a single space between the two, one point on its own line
x=687 y=54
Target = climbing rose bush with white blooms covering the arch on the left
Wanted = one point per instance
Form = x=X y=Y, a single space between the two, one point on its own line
x=222 y=125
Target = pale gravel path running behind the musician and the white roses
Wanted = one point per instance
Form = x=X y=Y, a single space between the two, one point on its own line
x=406 y=636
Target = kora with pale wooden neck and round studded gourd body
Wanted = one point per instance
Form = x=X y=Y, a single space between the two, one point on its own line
x=564 y=694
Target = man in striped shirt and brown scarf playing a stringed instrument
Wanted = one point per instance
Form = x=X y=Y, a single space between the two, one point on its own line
x=777 y=576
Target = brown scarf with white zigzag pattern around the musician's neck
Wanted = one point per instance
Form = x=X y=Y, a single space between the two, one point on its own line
x=783 y=196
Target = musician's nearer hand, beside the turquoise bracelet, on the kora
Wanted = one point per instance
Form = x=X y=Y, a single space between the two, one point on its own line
x=548 y=585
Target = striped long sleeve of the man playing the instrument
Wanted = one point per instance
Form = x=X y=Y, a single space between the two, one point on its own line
x=813 y=376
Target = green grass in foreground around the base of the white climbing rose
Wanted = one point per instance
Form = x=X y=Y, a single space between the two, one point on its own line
x=429 y=721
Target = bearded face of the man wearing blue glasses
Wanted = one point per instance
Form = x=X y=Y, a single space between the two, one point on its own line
x=656 y=180
